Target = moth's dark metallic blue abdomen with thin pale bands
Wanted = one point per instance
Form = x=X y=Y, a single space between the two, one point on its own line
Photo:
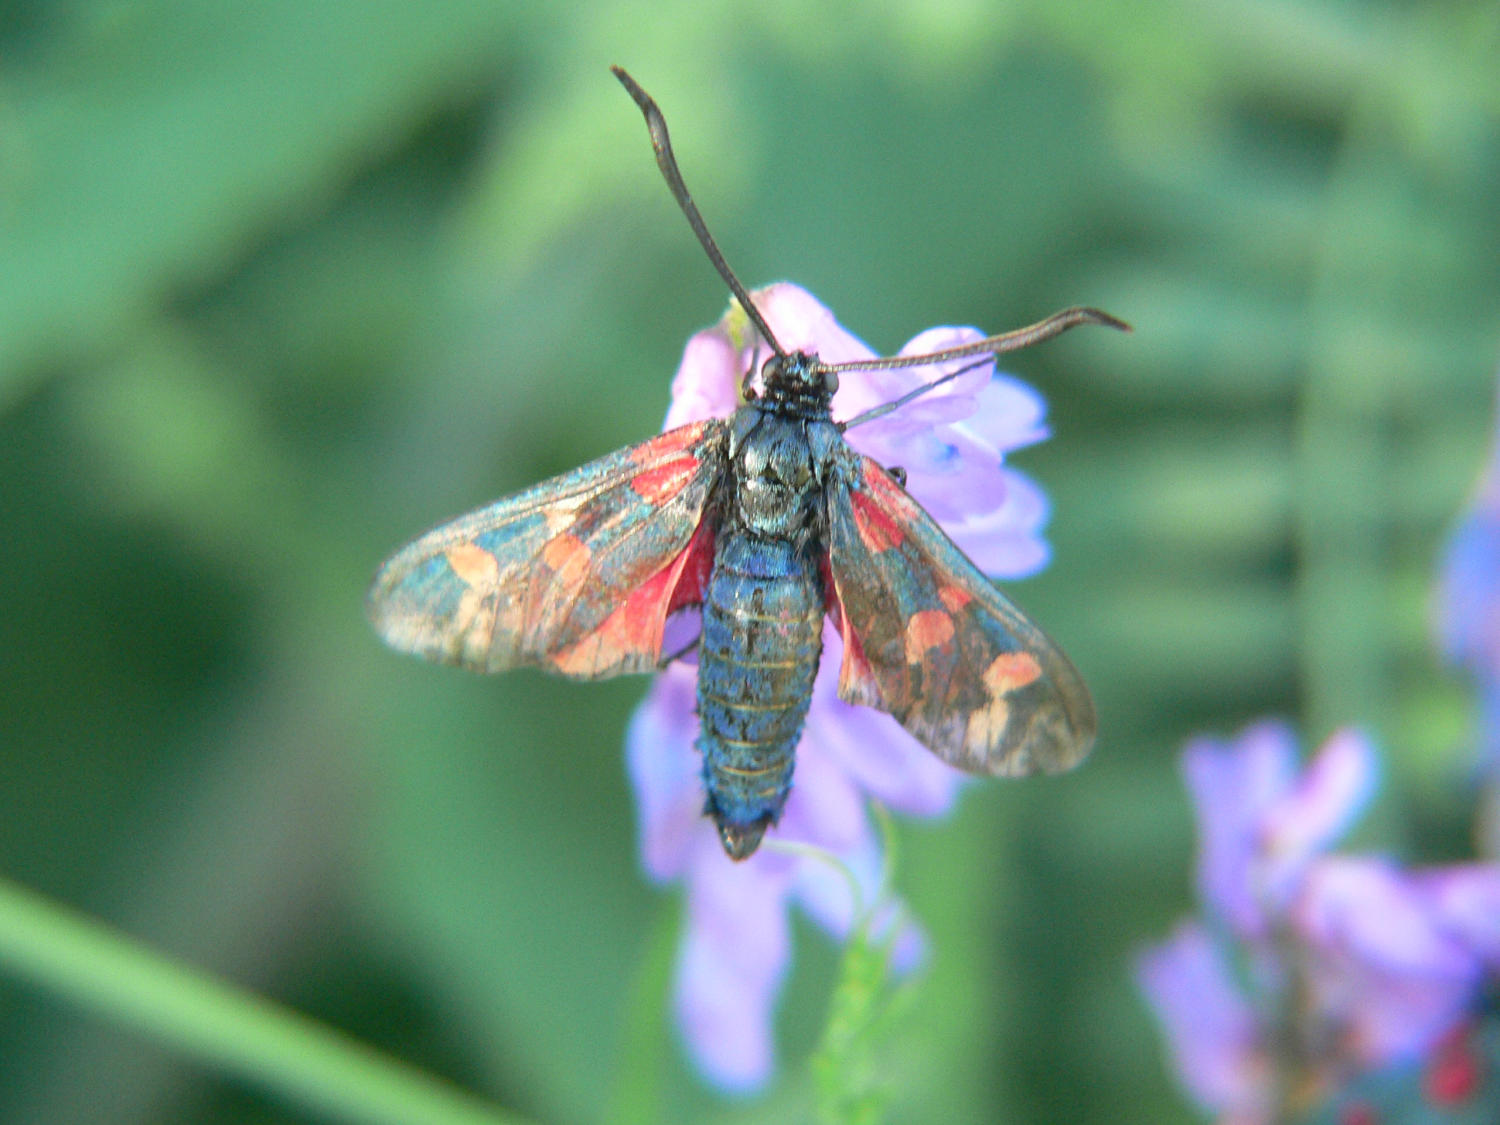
x=758 y=658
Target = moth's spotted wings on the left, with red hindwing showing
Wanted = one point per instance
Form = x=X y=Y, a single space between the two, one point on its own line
x=575 y=575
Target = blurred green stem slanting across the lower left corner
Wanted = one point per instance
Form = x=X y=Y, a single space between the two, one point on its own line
x=221 y=1027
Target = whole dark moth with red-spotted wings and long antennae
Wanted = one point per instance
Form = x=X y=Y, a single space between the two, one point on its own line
x=769 y=521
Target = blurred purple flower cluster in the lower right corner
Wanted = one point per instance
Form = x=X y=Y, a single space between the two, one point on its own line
x=1322 y=965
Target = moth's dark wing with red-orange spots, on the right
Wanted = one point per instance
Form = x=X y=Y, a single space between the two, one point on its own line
x=929 y=640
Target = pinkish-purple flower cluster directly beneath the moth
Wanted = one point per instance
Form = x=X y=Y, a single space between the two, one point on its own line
x=737 y=946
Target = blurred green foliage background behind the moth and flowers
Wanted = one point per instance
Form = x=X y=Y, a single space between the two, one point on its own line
x=284 y=284
